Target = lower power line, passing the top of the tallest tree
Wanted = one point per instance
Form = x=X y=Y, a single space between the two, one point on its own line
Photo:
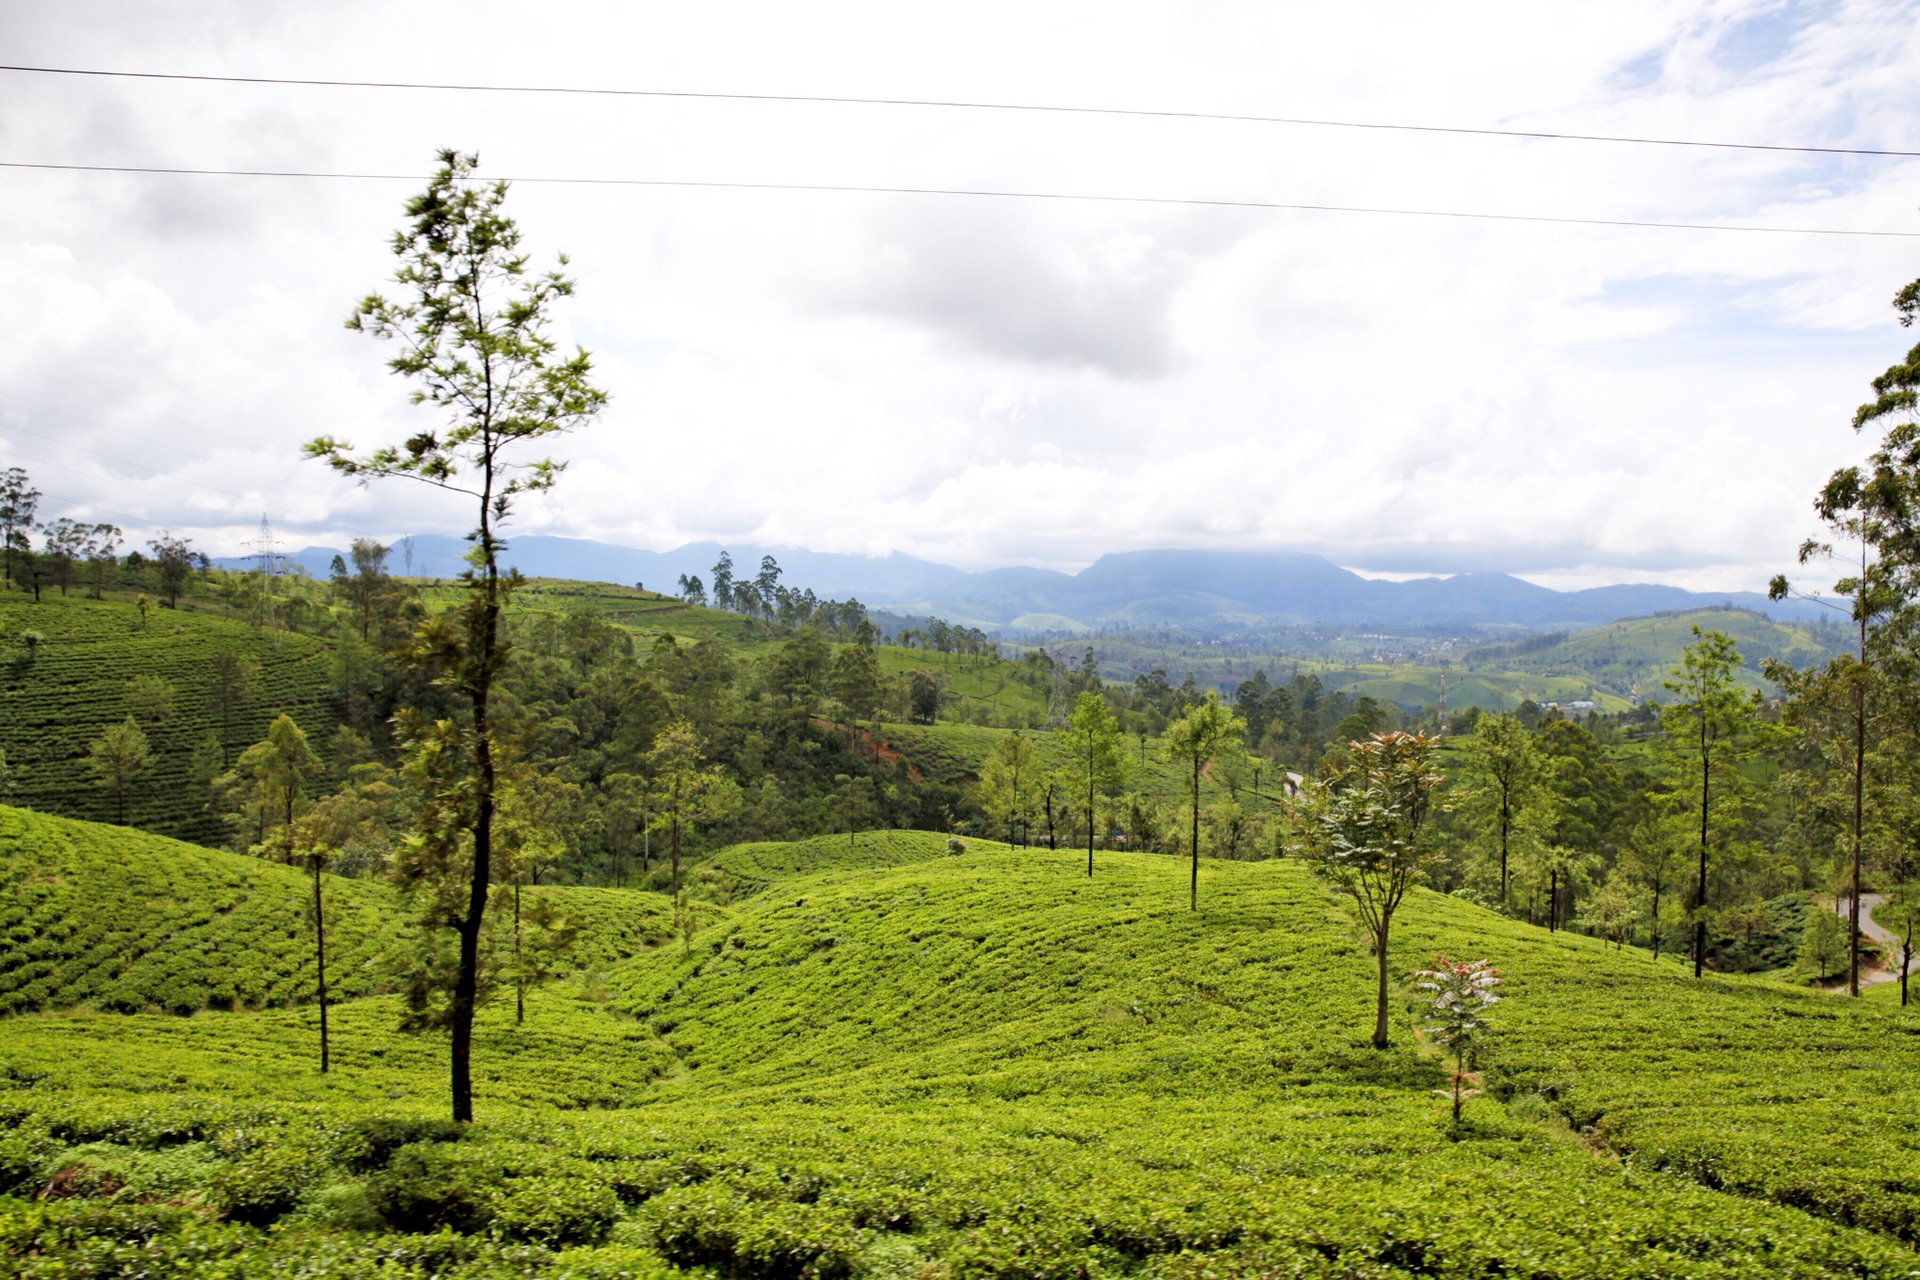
x=990 y=195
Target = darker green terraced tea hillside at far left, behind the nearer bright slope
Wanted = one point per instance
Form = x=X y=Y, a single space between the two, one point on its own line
x=60 y=692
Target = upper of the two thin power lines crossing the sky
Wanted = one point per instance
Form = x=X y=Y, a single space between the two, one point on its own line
x=974 y=107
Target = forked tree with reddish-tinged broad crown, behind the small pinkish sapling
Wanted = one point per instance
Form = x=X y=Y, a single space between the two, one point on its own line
x=1370 y=834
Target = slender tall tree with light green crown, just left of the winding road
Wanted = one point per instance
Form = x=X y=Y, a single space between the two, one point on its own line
x=1710 y=724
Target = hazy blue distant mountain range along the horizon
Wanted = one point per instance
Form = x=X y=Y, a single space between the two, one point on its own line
x=1195 y=590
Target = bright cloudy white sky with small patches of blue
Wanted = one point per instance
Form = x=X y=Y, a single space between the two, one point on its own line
x=992 y=381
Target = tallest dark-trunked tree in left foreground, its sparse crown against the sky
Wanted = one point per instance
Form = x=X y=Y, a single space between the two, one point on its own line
x=473 y=335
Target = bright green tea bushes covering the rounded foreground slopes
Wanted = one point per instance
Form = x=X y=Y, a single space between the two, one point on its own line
x=898 y=1060
